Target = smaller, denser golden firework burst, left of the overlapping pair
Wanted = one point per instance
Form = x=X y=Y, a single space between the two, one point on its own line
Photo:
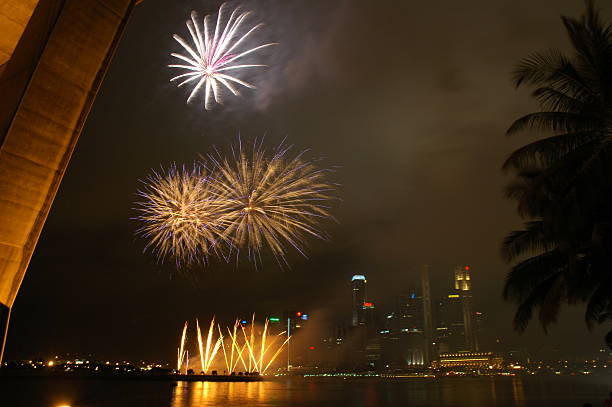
x=180 y=214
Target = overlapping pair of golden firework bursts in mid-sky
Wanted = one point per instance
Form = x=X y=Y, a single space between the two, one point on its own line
x=247 y=201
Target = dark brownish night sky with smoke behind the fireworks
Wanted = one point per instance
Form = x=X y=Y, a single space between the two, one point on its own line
x=410 y=99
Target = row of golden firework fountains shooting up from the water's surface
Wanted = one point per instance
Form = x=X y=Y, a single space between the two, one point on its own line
x=246 y=349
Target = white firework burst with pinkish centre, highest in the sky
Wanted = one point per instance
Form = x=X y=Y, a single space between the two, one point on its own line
x=216 y=55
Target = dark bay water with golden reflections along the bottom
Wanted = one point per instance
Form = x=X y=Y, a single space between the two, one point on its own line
x=311 y=392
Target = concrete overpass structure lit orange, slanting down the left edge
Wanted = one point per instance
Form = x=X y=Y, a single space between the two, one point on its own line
x=53 y=57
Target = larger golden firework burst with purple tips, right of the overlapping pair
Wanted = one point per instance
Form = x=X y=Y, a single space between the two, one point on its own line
x=273 y=202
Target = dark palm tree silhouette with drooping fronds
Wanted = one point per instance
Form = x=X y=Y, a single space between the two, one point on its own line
x=563 y=182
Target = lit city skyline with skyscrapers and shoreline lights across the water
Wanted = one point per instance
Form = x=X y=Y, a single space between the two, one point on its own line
x=393 y=327
